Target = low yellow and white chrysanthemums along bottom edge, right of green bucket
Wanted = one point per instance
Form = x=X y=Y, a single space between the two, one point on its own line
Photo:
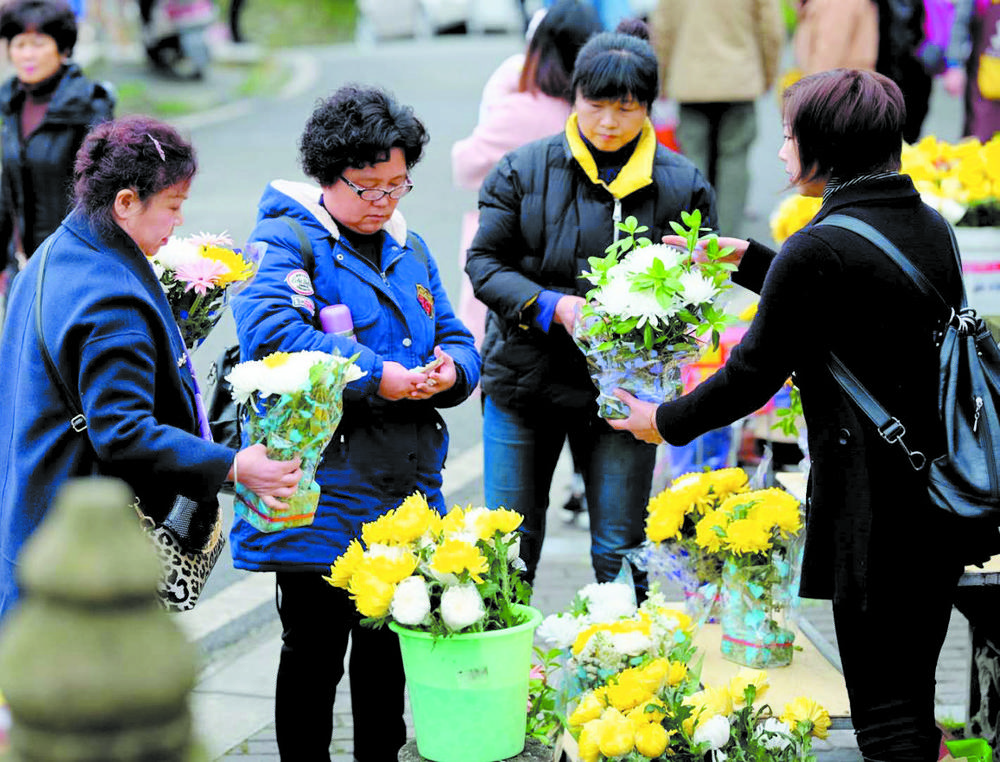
x=657 y=713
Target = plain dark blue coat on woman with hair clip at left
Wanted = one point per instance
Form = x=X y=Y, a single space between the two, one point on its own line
x=110 y=332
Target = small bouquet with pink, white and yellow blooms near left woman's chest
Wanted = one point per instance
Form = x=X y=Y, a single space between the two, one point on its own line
x=198 y=274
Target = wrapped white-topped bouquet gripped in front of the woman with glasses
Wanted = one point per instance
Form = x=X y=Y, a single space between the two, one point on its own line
x=292 y=402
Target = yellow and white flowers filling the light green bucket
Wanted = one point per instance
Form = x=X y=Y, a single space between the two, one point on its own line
x=439 y=574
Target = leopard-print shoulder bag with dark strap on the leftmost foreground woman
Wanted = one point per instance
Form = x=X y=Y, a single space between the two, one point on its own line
x=190 y=539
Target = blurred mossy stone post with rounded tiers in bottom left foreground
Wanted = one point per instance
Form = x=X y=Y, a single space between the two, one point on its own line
x=92 y=668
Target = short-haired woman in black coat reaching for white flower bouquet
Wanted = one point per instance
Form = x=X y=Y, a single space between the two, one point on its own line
x=875 y=544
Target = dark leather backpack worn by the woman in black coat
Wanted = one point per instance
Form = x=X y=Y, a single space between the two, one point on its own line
x=965 y=480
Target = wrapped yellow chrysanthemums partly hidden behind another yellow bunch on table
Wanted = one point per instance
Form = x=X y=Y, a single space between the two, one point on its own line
x=671 y=549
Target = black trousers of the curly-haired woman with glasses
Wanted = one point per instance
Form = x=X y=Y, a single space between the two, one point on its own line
x=317 y=620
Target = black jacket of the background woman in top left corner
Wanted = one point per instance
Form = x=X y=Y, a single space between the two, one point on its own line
x=38 y=172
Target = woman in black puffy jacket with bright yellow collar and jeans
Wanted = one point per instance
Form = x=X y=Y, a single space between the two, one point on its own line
x=544 y=210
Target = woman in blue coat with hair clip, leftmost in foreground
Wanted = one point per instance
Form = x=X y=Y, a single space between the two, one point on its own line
x=112 y=337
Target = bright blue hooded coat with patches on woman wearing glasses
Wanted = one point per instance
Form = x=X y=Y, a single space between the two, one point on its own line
x=382 y=451
